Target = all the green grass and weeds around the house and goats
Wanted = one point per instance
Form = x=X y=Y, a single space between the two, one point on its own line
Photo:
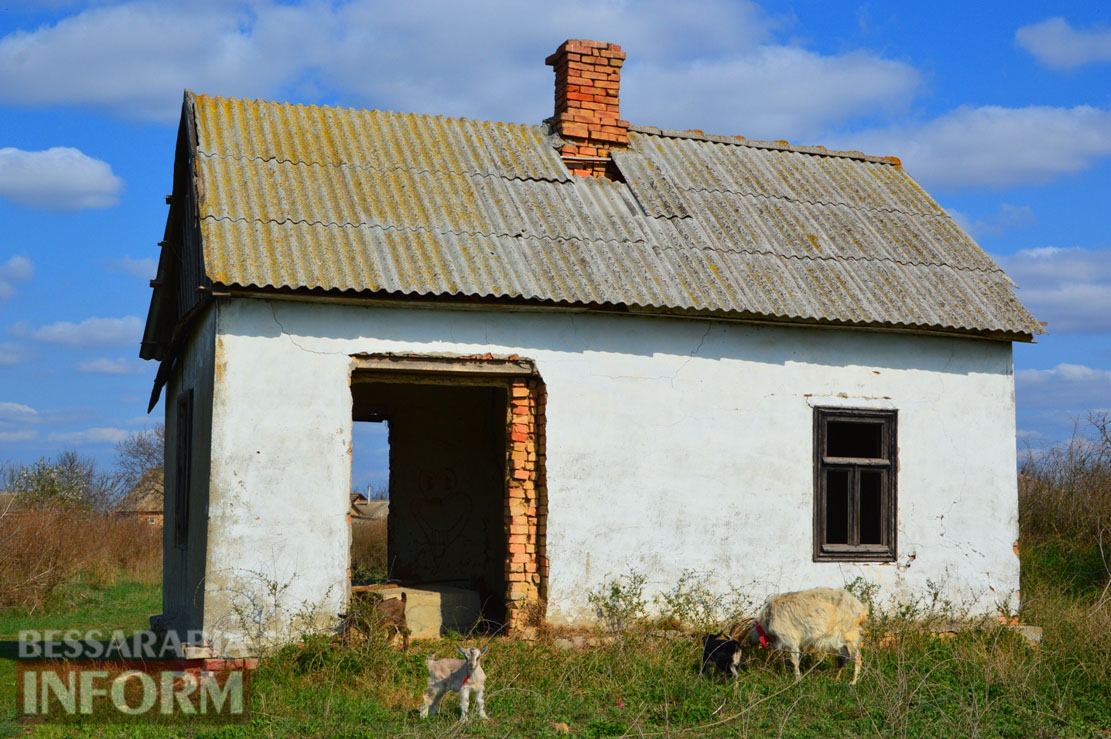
x=988 y=683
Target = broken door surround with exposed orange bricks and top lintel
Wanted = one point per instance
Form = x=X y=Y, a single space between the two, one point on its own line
x=525 y=494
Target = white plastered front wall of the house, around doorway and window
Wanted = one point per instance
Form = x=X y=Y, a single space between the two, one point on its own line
x=673 y=445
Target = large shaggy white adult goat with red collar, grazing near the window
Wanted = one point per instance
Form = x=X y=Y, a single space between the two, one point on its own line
x=822 y=620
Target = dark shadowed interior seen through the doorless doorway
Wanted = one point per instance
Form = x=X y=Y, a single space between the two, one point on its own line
x=447 y=484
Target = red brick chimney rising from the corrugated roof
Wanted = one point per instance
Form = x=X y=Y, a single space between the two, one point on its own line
x=588 y=83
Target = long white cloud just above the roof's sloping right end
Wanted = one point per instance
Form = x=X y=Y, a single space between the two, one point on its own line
x=994 y=146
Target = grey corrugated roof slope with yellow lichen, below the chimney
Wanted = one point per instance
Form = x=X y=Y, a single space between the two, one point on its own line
x=317 y=197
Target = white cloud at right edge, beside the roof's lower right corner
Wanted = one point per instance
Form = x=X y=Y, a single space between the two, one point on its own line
x=1068 y=287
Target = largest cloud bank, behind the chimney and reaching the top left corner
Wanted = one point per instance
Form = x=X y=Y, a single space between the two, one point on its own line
x=482 y=59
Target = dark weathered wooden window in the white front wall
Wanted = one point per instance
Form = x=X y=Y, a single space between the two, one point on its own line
x=855 y=485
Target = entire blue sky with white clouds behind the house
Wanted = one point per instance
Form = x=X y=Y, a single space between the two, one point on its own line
x=1002 y=111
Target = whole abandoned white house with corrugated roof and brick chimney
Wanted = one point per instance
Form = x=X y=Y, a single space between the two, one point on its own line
x=600 y=348
